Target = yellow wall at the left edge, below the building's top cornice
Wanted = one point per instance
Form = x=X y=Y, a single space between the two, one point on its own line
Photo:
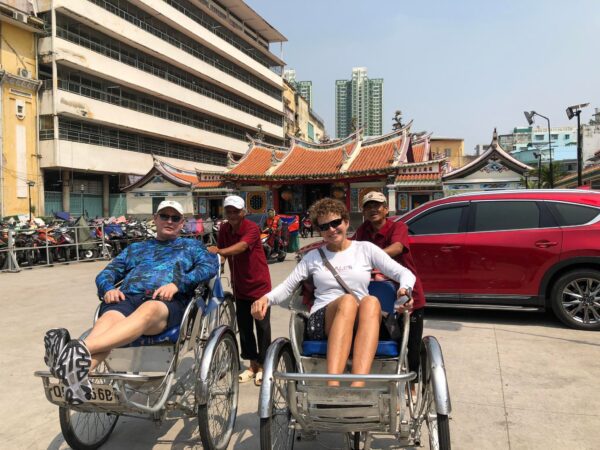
x=17 y=51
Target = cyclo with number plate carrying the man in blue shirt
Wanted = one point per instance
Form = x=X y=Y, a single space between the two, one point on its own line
x=191 y=368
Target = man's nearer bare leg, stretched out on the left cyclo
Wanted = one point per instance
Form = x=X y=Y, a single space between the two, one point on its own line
x=149 y=318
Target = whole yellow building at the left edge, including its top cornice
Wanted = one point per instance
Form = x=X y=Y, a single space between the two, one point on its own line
x=20 y=178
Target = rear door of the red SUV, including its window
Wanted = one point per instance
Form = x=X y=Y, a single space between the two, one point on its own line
x=509 y=247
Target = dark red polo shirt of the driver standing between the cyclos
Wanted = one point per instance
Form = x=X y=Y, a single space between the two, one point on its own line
x=249 y=271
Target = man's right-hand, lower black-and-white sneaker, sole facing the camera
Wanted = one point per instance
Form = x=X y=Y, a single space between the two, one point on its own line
x=72 y=369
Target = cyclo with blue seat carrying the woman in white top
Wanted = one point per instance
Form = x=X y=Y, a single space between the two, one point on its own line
x=294 y=395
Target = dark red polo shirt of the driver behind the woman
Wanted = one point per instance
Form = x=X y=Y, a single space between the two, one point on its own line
x=389 y=233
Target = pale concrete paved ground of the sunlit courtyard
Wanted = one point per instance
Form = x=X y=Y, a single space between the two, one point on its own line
x=517 y=380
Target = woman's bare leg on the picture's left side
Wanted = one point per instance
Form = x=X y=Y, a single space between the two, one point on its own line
x=339 y=326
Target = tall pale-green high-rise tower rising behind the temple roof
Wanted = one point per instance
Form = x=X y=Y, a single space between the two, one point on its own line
x=359 y=104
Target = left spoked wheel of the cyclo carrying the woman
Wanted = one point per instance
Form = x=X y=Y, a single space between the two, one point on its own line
x=275 y=431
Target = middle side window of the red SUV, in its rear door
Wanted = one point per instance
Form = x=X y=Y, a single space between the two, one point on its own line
x=506 y=215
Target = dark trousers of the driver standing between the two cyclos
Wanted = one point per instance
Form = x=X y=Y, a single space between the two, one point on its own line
x=246 y=325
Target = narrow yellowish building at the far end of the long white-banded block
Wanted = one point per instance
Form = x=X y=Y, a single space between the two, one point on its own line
x=300 y=120
